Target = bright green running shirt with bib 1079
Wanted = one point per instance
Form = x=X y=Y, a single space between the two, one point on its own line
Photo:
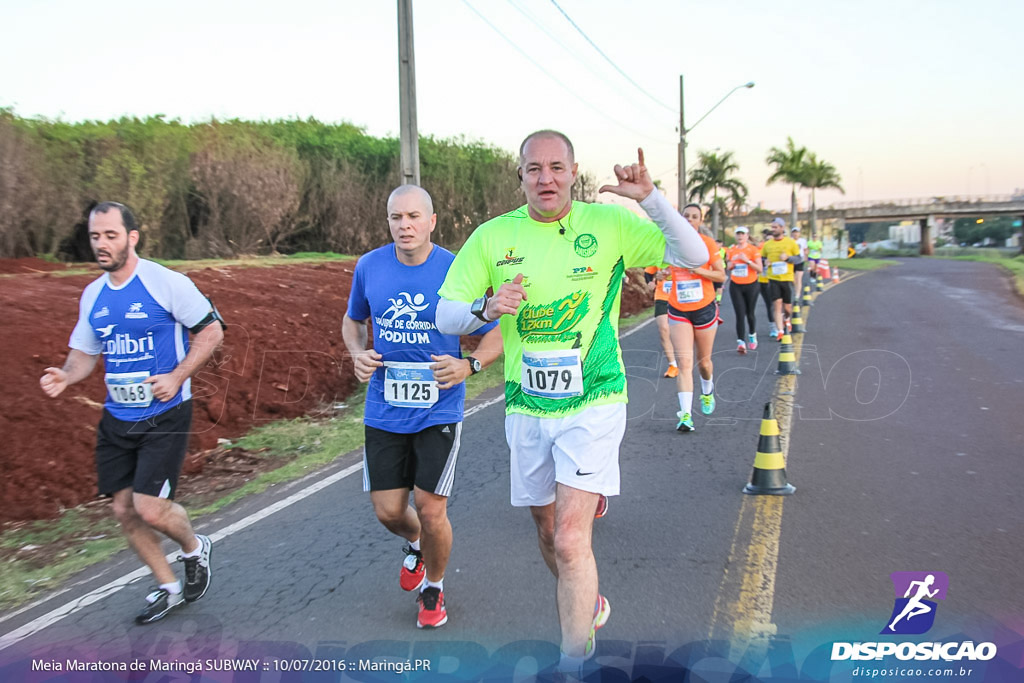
x=573 y=282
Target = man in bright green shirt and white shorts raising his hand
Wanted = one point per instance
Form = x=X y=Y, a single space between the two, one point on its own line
x=556 y=268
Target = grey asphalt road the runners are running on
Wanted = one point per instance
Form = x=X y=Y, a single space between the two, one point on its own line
x=902 y=438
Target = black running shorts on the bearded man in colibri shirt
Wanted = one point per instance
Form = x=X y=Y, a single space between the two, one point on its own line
x=144 y=456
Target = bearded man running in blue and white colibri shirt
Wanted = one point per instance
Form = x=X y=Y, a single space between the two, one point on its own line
x=139 y=316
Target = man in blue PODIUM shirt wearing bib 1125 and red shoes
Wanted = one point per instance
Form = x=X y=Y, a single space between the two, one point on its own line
x=416 y=396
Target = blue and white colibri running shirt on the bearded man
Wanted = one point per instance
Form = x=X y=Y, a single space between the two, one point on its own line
x=142 y=329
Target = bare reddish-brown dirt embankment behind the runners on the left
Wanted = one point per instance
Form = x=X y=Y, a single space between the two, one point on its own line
x=283 y=357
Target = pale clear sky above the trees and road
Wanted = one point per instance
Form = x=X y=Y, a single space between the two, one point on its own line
x=907 y=99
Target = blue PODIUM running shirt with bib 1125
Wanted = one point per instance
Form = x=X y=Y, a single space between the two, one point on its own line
x=402 y=301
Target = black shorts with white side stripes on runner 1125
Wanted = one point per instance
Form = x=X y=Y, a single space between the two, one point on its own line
x=425 y=459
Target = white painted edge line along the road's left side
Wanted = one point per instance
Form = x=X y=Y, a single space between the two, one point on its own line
x=69 y=609
